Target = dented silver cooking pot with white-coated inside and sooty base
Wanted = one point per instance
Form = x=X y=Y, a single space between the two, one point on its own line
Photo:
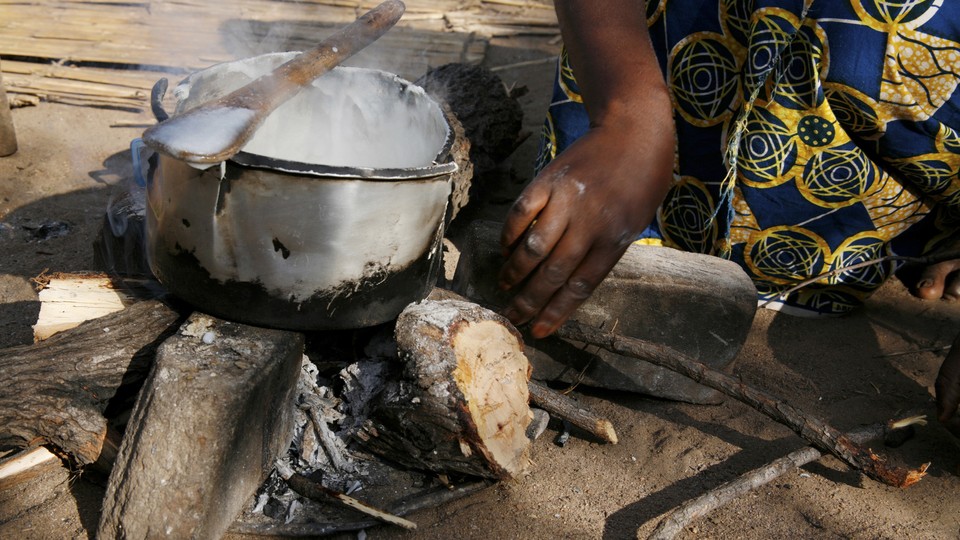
x=330 y=217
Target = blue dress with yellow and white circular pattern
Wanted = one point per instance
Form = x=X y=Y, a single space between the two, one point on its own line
x=812 y=135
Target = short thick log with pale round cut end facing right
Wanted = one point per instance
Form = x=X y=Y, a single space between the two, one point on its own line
x=461 y=403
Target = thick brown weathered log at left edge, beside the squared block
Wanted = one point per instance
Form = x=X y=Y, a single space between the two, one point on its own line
x=57 y=391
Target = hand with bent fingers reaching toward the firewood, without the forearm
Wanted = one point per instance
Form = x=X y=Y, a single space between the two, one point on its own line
x=574 y=221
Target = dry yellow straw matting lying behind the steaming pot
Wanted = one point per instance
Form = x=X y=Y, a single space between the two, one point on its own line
x=110 y=52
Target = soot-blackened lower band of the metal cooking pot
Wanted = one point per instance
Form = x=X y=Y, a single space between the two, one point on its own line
x=367 y=302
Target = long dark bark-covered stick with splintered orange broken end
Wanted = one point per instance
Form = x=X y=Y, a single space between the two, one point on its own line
x=814 y=430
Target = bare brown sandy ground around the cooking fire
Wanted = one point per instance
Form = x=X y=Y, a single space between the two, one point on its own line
x=863 y=368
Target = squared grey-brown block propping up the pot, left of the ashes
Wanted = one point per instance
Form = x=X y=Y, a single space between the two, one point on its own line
x=213 y=415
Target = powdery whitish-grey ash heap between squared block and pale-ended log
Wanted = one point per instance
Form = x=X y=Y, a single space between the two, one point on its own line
x=338 y=397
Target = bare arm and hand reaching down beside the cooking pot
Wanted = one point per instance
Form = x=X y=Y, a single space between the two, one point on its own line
x=574 y=221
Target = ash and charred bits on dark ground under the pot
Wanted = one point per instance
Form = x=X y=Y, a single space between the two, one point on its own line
x=333 y=402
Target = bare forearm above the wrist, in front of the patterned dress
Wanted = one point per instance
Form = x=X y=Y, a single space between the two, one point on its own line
x=613 y=59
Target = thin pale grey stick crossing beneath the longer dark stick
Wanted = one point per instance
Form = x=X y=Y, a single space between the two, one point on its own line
x=696 y=508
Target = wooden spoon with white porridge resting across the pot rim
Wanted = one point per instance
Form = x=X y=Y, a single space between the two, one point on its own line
x=217 y=130
